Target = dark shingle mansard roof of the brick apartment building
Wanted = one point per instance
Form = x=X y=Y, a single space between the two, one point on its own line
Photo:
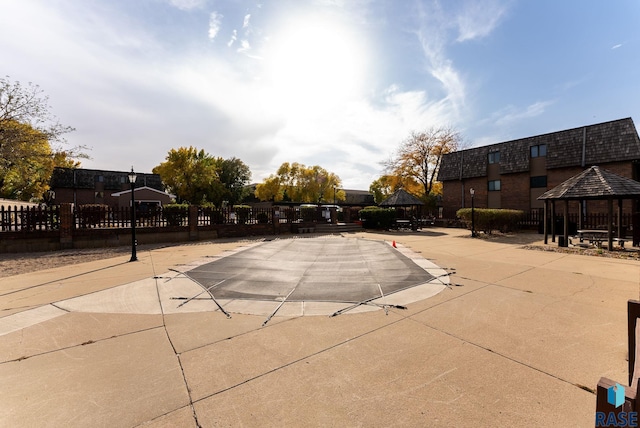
x=604 y=142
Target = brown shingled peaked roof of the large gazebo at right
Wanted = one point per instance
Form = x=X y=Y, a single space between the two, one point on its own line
x=594 y=183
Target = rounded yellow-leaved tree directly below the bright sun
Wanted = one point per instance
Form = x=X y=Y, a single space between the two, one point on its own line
x=299 y=183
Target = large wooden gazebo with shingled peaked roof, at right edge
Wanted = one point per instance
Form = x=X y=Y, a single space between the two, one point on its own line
x=591 y=184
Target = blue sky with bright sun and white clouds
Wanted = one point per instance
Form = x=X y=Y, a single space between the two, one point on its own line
x=334 y=83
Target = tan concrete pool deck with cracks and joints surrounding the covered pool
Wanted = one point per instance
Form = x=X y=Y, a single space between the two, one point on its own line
x=517 y=338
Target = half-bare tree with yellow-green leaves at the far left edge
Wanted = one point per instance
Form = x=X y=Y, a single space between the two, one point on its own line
x=31 y=142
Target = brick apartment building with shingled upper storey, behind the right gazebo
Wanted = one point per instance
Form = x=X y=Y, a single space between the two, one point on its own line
x=513 y=174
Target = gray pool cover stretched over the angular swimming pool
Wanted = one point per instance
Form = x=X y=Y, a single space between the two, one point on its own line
x=327 y=269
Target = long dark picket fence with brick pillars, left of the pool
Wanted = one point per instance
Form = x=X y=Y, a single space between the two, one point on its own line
x=44 y=228
